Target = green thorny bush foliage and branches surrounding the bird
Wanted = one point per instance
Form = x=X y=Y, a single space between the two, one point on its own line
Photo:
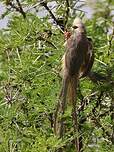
x=31 y=48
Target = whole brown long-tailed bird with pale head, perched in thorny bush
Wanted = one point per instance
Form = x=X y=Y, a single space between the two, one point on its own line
x=77 y=62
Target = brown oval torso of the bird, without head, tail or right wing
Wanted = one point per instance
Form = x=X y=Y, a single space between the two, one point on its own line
x=75 y=54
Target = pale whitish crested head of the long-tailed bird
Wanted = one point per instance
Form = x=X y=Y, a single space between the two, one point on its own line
x=78 y=26
